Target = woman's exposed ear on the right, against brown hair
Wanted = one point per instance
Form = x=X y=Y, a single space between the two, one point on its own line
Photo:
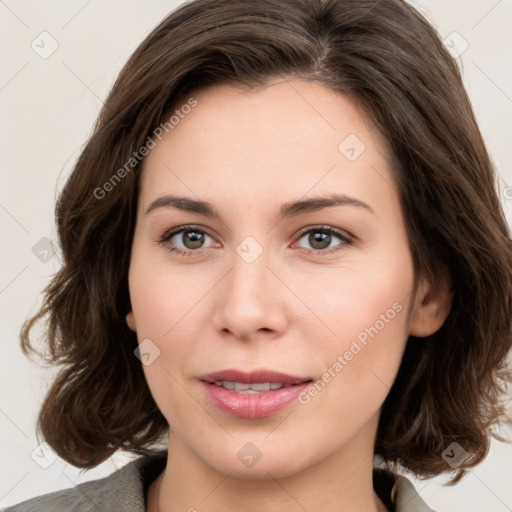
x=431 y=306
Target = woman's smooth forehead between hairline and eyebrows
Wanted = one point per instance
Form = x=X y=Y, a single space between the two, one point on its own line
x=287 y=138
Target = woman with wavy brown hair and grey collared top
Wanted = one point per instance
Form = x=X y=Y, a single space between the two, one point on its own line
x=283 y=252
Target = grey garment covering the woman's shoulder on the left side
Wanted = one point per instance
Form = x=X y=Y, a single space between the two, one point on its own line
x=125 y=489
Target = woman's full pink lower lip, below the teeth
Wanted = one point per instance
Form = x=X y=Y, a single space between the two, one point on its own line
x=260 y=405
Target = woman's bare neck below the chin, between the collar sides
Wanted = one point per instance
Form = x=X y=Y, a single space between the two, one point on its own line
x=343 y=481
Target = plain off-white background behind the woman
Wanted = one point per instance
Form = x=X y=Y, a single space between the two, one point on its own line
x=48 y=106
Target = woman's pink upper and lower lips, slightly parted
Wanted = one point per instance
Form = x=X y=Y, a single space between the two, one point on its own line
x=252 y=406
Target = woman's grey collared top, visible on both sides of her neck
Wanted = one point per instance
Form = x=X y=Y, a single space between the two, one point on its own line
x=125 y=490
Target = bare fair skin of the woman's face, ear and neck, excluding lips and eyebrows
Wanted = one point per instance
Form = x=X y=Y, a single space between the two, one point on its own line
x=292 y=309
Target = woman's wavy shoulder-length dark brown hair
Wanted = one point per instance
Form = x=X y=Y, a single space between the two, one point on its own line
x=390 y=62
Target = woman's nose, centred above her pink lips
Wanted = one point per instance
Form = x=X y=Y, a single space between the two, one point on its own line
x=251 y=300
